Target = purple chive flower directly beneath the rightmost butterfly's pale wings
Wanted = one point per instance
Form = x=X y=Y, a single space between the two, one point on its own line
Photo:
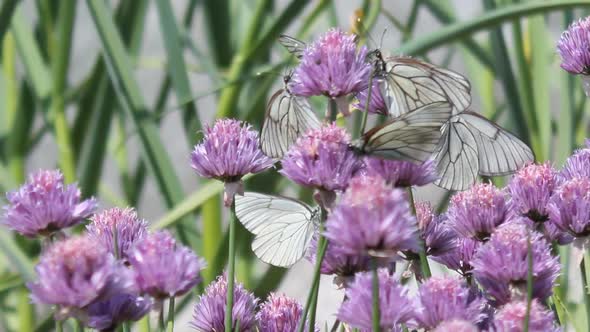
x=478 y=211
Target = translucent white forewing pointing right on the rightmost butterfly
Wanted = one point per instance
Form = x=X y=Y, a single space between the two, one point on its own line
x=499 y=151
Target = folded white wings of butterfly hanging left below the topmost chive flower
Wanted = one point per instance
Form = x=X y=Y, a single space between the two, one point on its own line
x=287 y=118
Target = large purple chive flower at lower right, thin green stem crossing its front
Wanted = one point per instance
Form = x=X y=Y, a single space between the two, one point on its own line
x=501 y=265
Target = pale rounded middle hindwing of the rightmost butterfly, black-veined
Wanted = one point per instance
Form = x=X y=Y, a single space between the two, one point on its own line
x=456 y=156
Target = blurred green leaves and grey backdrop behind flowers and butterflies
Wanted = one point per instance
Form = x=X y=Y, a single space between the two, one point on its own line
x=114 y=93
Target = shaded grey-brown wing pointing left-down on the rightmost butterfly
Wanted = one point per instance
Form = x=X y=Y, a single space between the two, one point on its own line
x=412 y=136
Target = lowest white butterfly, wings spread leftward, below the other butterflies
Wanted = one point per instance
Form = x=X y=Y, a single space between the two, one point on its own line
x=283 y=227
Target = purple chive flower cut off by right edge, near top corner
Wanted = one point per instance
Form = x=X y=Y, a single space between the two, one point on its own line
x=573 y=47
